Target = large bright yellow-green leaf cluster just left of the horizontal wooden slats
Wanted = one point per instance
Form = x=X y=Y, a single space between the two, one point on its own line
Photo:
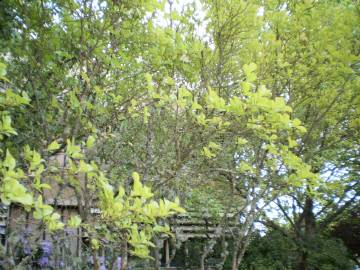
x=126 y=212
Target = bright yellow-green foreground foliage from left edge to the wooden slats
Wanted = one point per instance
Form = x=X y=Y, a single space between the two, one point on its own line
x=136 y=215
